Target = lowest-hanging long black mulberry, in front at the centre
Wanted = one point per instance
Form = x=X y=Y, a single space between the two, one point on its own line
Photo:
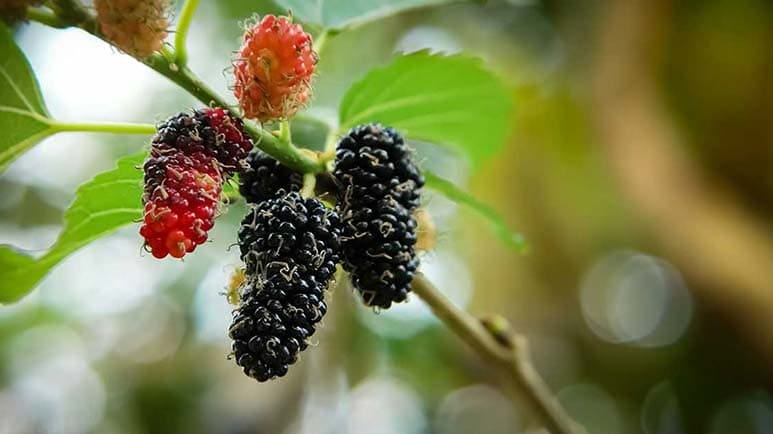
x=289 y=245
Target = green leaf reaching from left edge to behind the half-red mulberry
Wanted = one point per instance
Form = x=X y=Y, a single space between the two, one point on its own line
x=111 y=200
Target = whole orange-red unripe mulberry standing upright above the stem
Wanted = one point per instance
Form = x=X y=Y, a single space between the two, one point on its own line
x=273 y=69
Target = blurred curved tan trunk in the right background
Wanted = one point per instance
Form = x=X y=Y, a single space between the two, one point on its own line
x=720 y=246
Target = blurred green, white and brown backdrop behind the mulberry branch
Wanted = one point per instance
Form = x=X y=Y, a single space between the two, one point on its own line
x=639 y=169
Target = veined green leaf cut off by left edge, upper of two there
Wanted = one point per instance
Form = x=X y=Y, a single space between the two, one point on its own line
x=23 y=116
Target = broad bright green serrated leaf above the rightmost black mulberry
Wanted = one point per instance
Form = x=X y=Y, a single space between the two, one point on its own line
x=446 y=100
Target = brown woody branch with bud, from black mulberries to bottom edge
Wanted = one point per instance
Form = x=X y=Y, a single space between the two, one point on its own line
x=495 y=342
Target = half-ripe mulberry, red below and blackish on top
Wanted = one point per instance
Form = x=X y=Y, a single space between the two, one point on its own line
x=190 y=157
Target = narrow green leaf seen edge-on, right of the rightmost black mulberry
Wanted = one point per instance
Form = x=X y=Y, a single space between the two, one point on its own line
x=498 y=225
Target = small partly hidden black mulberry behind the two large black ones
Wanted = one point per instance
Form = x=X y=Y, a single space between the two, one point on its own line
x=263 y=178
